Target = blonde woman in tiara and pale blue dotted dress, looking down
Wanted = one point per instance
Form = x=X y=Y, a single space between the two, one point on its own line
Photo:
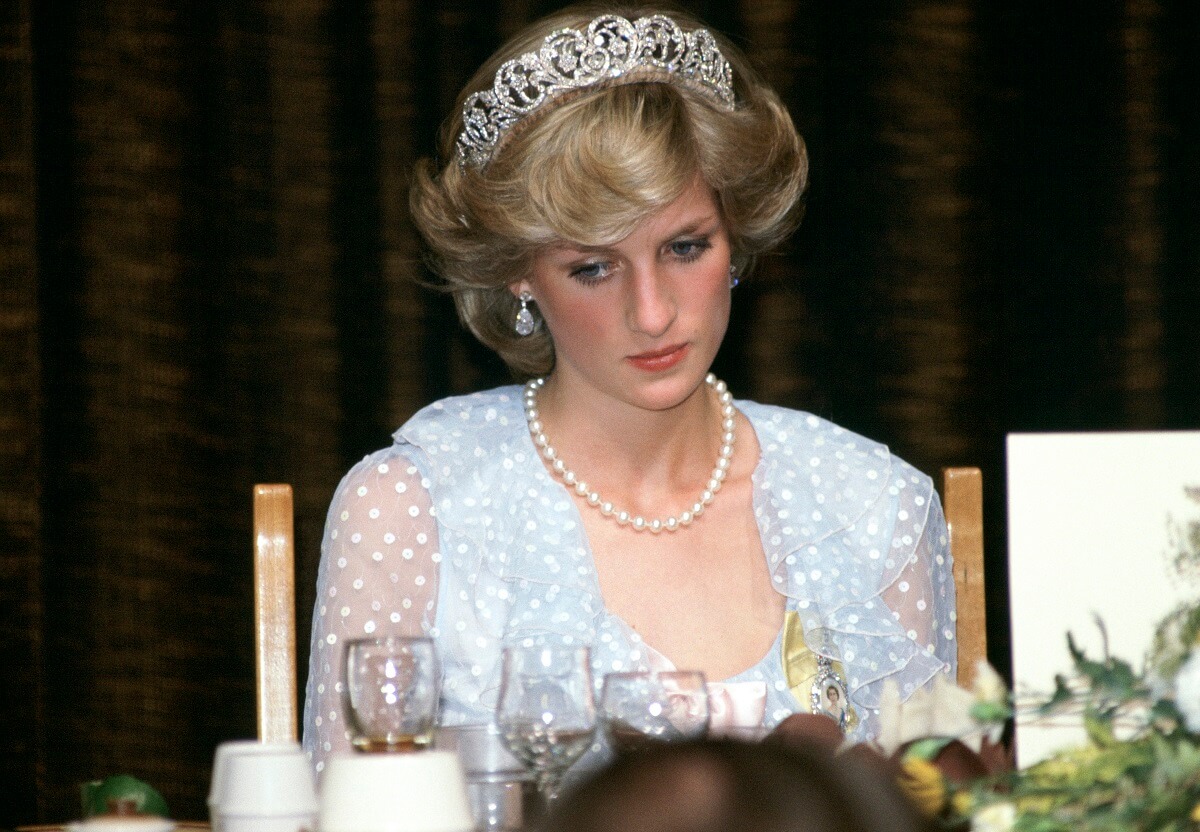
x=609 y=179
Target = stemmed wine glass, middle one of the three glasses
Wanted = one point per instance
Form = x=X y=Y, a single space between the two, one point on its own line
x=547 y=713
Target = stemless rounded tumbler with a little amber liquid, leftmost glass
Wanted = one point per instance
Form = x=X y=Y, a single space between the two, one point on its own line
x=392 y=693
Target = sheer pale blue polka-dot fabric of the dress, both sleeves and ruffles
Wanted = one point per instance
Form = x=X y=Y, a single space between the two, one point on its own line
x=459 y=532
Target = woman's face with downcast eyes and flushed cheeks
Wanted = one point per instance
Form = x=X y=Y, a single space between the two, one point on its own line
x=641 y=320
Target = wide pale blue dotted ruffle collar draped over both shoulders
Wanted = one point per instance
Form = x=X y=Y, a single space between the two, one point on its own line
x=825 y=500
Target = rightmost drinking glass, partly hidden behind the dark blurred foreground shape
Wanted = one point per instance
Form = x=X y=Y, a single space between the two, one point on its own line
x=643 y=708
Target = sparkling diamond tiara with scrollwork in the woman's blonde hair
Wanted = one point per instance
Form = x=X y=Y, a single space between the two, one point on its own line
x=610 y=51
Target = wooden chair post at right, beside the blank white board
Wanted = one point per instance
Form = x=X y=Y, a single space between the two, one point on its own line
x=963 y=504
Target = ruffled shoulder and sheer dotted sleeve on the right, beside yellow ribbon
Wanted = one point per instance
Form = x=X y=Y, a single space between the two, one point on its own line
x=856 y=538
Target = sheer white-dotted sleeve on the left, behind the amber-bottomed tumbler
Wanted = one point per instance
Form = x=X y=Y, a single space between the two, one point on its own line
x=379 y=576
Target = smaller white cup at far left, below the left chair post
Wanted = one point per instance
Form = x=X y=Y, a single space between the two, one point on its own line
x=262 y=788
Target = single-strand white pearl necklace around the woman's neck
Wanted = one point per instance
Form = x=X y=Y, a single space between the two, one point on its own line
x=638 y=523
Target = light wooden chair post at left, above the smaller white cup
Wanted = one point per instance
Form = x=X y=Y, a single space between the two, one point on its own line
x=275 y=620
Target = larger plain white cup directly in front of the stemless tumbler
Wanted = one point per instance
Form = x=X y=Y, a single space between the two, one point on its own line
x=394 y=793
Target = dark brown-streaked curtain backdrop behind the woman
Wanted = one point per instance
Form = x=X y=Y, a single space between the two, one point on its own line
x=206 y=282
